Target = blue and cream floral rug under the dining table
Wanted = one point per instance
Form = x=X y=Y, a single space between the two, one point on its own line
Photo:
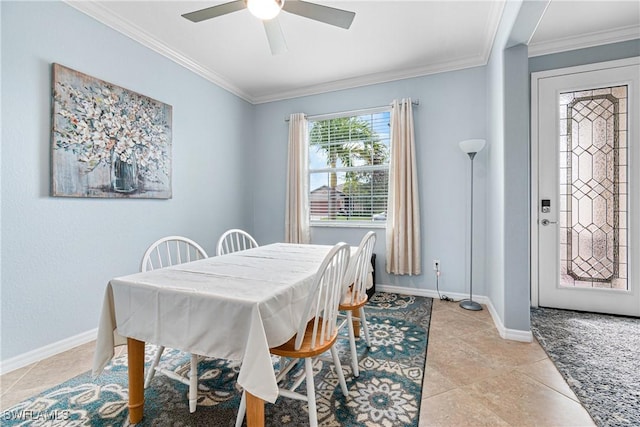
x=387 y=392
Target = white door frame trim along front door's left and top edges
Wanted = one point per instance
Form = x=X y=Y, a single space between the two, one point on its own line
x=535 y=79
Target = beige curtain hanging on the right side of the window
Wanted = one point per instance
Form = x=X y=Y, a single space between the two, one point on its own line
x=403 y=210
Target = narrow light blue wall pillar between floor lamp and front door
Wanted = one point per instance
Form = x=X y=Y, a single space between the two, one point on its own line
x=508 y=115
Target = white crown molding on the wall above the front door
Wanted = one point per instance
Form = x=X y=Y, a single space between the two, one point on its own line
x=584 y=41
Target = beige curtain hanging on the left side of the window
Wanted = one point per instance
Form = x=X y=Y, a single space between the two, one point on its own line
x=297 y=204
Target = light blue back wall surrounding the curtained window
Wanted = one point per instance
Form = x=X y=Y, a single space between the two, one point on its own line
x=452 y=108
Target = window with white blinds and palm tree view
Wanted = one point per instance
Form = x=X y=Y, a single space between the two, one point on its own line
x=349 y=167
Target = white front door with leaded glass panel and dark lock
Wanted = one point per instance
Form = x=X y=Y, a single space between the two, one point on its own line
x=586 y=188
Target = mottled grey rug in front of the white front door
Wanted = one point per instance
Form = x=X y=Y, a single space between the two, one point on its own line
x=599 y=357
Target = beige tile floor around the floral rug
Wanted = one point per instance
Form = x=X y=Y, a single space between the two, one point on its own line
x=472 y=378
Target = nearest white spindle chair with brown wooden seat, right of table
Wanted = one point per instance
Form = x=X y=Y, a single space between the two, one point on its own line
x=314 y=336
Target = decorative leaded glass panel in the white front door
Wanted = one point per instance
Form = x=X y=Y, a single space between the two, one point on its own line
x=593 y=188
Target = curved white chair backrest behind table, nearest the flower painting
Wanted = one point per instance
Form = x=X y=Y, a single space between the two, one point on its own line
x=171 y=250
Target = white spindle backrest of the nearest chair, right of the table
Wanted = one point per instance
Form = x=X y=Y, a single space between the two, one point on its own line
x=324 y=298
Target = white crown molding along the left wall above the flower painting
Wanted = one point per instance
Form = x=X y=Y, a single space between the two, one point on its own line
x=103 y=15
